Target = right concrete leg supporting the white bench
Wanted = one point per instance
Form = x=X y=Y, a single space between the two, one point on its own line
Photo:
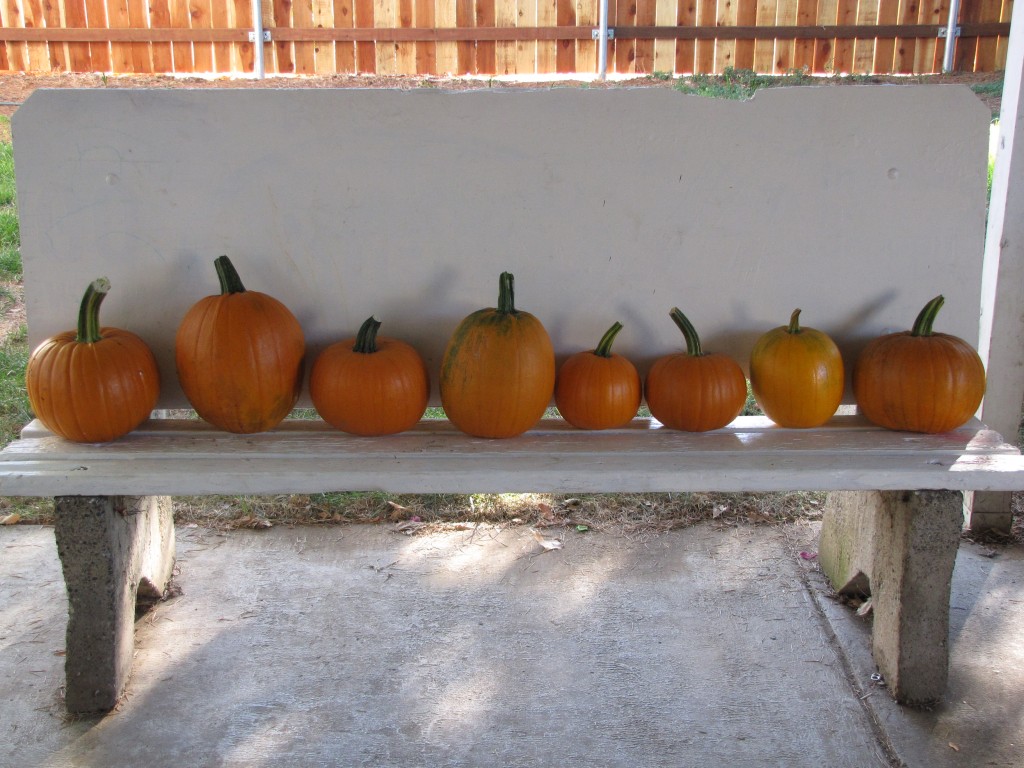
x=903 y=547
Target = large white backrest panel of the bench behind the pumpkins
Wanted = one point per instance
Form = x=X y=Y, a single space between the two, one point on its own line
x=856 y=204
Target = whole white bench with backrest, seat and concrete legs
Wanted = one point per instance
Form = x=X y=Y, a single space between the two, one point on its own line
x=606 y=204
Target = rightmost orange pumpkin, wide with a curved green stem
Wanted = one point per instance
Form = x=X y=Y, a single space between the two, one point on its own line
x=919 y=380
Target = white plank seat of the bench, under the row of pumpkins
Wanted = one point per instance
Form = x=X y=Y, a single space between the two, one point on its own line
x=183 y=457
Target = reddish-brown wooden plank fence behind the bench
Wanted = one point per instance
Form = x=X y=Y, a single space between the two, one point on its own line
x=487 y=37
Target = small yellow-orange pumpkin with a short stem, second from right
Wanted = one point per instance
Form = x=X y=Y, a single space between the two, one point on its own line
x=797 y=375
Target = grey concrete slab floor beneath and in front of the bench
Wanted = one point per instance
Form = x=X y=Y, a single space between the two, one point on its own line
x=359 y=647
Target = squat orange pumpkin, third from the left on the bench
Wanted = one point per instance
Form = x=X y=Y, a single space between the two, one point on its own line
x=370 y=386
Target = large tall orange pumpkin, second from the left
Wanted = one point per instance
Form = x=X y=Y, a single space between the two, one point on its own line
x=240 y=357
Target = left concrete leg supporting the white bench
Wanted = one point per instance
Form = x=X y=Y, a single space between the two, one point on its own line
x=113 y=549
